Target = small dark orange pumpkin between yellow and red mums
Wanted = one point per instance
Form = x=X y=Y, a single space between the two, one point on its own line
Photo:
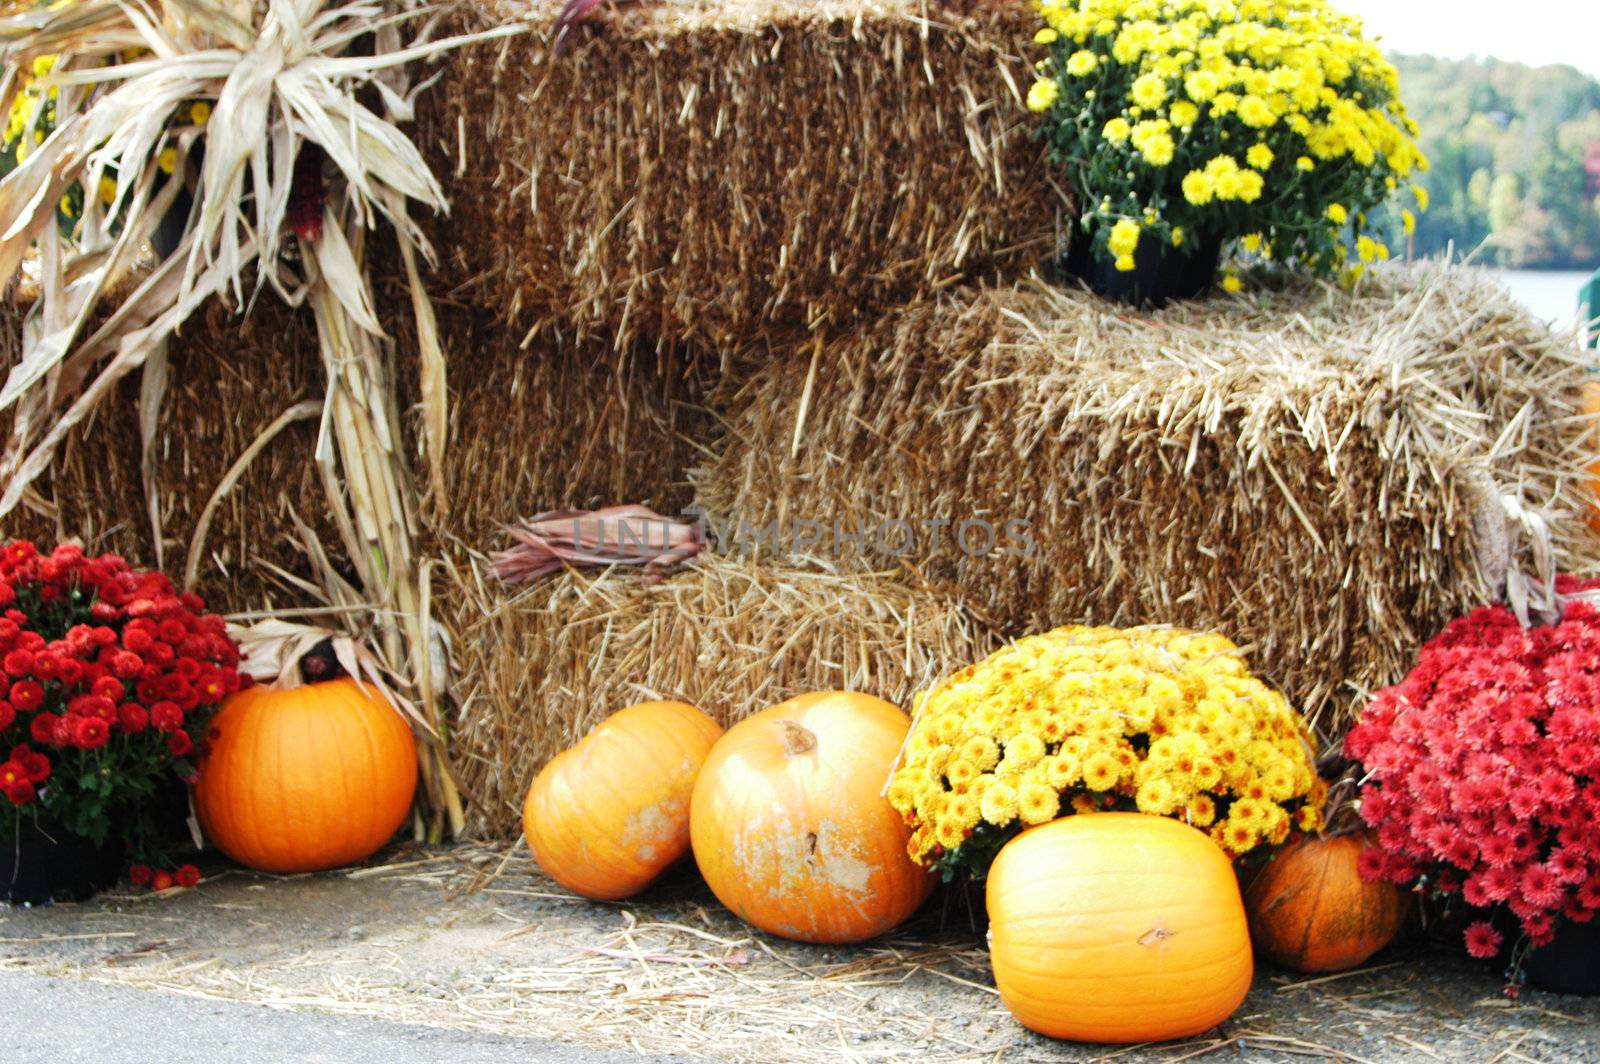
x=1311 y=910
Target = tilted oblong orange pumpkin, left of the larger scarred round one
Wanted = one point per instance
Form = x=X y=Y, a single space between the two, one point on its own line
x=607 y=817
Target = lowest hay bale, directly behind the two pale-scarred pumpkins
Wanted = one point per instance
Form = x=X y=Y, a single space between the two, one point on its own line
x=542 y=665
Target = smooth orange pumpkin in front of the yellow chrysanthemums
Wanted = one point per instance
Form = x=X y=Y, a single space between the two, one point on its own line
x=1118 y=927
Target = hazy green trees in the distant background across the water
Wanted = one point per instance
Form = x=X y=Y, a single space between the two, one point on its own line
x=1516 y=161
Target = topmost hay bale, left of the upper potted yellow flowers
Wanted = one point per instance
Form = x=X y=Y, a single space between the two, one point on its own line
x=714 y=172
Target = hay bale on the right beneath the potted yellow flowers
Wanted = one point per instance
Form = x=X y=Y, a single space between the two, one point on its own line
x=1310 y=471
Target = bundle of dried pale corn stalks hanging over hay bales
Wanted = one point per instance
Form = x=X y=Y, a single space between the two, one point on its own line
x=297 y=169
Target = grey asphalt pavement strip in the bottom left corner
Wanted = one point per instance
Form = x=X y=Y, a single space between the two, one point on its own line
x=71 y=1022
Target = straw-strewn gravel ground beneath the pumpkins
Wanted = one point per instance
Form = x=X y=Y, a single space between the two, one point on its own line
x=476 y=940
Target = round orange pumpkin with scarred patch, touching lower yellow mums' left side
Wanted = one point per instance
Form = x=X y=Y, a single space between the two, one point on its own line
x=791 y=828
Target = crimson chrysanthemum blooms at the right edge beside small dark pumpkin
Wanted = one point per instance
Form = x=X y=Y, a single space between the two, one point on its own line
x=1481 y=767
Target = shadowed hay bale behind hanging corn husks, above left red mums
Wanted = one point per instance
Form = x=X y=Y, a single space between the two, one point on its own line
x=230 y=378
